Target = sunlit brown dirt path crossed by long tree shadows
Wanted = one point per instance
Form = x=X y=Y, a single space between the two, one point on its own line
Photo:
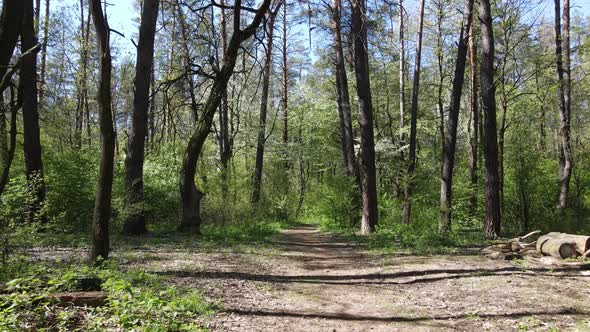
x=313 y=282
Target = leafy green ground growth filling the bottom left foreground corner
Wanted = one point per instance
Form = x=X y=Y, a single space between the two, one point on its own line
x=137 y=300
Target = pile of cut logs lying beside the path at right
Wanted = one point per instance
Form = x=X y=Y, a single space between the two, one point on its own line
x=557 y=245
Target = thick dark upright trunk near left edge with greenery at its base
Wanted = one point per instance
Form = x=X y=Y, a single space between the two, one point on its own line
x=31 y=132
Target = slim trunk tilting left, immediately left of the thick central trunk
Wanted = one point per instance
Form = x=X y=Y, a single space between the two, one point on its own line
x=347 y=138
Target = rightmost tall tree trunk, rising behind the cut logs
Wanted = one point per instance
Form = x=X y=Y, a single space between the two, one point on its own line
x=564 y=76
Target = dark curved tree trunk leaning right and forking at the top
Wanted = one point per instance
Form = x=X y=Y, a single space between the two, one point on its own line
x=190 y=195
